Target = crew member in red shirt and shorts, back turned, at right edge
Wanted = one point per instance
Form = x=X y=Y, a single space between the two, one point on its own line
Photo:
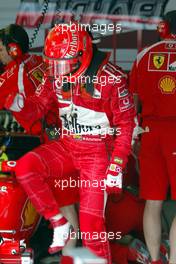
x=153 y=81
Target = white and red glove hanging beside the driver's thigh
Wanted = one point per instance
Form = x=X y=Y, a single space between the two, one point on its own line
x=114 y=179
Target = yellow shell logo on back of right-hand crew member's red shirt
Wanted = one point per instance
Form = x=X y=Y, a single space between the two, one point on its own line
x=167 y=84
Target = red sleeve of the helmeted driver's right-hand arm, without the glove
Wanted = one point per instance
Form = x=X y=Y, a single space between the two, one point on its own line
x=123 y=118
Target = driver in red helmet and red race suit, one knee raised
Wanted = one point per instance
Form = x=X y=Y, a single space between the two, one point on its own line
x=90 y=114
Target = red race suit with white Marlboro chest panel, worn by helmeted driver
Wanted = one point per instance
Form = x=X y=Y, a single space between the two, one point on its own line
x=87 y=143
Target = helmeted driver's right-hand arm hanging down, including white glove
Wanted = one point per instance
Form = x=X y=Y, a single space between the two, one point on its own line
x=123 y=110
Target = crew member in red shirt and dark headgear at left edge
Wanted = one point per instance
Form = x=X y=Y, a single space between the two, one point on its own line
x=22 y=72
